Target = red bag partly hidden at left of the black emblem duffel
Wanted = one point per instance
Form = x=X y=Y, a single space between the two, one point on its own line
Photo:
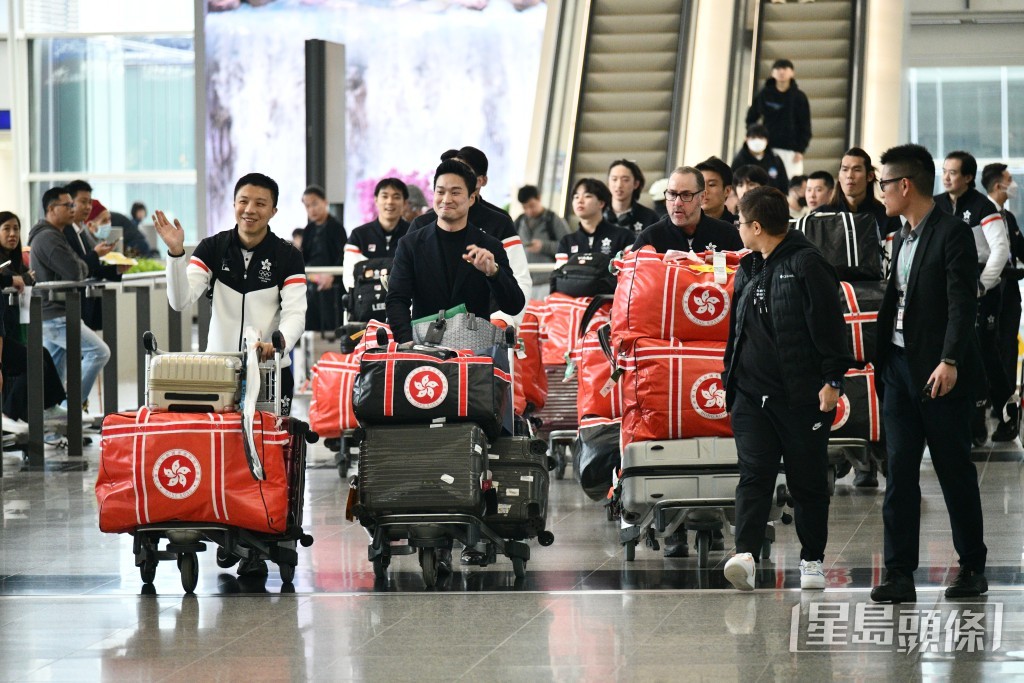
x=331 y=406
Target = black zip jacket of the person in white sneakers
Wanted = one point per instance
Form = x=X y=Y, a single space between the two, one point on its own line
x=806 y=319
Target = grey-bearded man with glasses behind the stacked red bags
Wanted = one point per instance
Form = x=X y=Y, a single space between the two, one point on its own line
x=688 y=227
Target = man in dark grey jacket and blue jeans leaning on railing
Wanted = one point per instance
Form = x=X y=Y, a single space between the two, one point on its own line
x=54 y=260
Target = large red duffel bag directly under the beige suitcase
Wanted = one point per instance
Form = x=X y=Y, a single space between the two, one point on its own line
x=191 y=467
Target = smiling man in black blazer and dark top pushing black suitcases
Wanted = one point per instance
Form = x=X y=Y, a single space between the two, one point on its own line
x=450 y=262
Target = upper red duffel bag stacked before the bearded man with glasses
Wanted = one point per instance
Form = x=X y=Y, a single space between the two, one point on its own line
x=666 y=298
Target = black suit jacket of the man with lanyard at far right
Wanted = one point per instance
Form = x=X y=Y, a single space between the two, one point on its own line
x=942 y=306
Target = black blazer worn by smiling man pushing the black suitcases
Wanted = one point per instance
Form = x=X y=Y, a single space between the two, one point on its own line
x=418 y=279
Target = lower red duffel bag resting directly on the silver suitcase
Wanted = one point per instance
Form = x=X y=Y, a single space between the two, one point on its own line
x=673 y=390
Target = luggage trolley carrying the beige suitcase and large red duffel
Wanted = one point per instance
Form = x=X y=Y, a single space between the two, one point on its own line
x=186 y=540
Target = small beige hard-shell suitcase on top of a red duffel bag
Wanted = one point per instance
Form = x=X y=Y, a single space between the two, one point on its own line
x=195 y=382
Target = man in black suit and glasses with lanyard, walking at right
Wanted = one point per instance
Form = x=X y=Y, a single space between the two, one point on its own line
x=927 y=357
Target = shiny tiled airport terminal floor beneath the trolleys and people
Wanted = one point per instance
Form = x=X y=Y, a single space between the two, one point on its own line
x=73 y=607
